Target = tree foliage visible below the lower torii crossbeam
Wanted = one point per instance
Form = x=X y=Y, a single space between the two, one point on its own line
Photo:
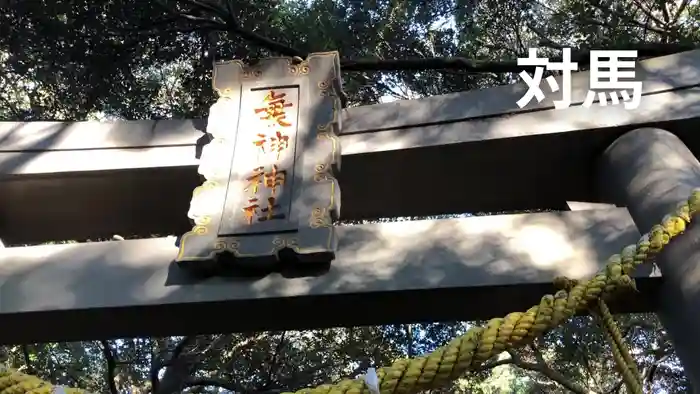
x=573 y=357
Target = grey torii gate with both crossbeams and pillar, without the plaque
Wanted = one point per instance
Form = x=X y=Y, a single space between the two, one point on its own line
x=464 y=152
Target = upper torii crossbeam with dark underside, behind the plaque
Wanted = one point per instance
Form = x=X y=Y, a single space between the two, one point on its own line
x=529 y=159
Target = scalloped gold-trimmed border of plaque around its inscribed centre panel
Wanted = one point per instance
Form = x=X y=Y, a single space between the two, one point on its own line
x=315 y=239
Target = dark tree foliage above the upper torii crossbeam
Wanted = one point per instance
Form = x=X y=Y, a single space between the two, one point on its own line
x=138 y=60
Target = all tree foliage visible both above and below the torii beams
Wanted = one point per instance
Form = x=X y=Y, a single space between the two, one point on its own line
x=77 y=60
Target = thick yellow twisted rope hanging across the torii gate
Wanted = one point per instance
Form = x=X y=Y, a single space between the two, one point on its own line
x=468 y=351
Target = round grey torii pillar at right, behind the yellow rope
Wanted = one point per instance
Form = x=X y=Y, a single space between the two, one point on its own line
x=650 y=171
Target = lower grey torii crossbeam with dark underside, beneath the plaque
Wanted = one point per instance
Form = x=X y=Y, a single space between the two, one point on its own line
x=389 y=272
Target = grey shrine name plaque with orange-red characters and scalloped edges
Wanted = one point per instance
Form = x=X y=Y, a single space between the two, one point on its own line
x=270 y=168
